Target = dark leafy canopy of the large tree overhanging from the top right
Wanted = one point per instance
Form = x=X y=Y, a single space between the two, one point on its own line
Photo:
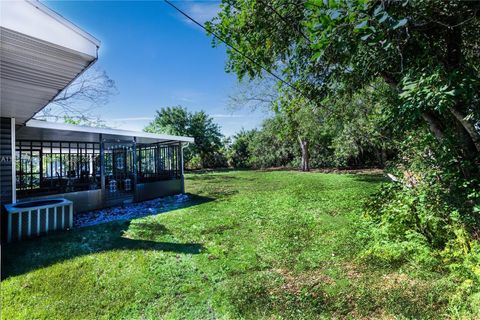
x=427 y=51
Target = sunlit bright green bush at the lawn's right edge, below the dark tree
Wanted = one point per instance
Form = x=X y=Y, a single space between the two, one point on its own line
x=419 y=226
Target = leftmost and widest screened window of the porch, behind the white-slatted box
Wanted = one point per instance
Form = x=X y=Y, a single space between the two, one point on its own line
x=48 y=167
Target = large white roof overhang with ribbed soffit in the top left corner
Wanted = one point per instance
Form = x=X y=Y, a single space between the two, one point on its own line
x=40 y=54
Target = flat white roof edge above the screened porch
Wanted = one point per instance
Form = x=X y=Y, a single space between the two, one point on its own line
x=53 y=131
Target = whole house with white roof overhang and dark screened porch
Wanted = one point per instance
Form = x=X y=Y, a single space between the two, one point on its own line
x=89 y=168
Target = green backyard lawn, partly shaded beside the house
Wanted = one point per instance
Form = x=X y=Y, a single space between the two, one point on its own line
x=250 y=245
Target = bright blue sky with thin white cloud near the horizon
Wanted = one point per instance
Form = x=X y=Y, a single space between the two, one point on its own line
x=158 y=58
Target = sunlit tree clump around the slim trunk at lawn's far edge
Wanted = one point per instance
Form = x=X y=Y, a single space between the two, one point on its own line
x=353 y=131
